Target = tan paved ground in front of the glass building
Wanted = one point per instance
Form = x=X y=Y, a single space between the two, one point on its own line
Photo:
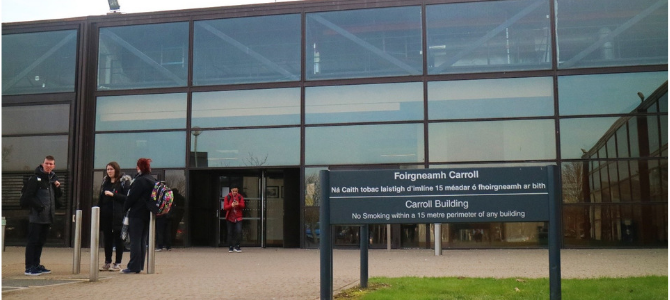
x=277 y=273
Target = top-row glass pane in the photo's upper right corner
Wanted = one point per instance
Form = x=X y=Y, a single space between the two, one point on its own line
x=602 y=33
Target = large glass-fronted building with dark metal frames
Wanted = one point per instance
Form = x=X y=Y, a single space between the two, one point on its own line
x=265 y=96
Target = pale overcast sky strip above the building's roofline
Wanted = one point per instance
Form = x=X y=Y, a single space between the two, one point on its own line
x=31 y=10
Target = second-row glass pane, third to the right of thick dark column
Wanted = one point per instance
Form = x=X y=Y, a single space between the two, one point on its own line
x=364 y=103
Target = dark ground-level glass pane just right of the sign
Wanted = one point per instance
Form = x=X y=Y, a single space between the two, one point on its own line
x=615 y=225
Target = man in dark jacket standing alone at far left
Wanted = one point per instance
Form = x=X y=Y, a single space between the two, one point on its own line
x=42 y=192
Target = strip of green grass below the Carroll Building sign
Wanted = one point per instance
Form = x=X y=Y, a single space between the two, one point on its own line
x=462 y=288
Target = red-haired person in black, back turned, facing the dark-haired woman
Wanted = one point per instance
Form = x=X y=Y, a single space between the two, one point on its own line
x=136 y=204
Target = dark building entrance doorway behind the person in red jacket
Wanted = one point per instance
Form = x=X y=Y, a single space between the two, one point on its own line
x=271 y=217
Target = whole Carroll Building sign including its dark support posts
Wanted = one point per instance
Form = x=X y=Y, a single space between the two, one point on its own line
x=519 y=194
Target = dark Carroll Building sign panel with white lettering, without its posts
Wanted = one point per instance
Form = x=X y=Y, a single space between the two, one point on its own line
x=518 y=194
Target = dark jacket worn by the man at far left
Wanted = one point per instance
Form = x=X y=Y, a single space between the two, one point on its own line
x=43 y=195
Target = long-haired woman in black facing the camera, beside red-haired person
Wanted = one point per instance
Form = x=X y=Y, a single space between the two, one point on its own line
x=113 y=191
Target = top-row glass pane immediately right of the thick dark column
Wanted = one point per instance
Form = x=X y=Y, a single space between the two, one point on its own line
x=143 y=56
